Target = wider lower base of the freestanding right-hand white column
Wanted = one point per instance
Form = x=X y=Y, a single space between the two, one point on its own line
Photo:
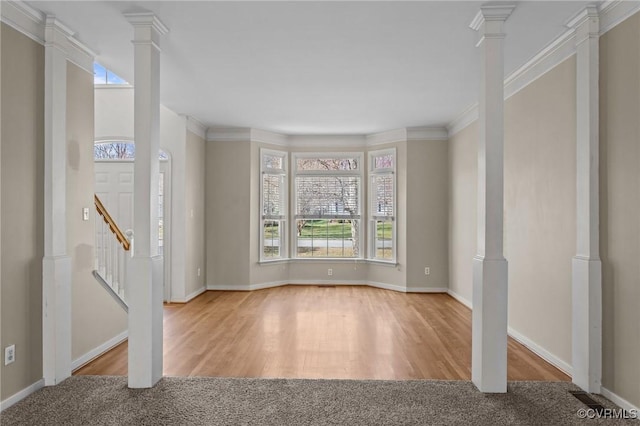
x=489 y=325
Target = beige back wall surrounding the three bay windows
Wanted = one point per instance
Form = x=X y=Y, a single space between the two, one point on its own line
x=421 y=185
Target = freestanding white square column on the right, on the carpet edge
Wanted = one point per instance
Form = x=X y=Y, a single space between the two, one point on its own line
x=489 y=316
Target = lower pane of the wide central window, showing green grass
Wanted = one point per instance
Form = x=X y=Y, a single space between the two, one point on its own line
x=327 y=238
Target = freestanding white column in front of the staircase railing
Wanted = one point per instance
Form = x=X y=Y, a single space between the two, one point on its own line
x=145 y=292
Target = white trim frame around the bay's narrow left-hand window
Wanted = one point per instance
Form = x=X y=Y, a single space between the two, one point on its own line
x=284 y=217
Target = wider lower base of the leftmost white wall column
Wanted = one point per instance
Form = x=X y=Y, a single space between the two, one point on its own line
x=56 y=319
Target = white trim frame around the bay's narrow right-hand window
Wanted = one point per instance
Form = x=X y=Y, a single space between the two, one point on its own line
x=371 y=217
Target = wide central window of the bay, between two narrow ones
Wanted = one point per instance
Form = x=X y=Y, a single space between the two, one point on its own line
x=327 y=202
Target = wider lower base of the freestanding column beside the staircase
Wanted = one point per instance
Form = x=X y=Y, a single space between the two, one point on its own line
x=145 y=297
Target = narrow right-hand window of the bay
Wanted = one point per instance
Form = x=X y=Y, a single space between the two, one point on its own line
x=382 y=205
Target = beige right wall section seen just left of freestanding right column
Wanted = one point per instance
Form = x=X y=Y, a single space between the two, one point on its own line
x=463 y=181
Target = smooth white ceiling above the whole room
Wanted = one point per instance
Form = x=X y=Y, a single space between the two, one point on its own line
x=314 y=67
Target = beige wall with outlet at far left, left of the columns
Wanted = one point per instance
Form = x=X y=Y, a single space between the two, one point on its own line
x=22 y=195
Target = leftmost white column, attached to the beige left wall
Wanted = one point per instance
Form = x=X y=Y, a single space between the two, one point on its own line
x=56 y=265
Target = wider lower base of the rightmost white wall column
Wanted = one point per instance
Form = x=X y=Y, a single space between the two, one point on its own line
x=586 y=351
